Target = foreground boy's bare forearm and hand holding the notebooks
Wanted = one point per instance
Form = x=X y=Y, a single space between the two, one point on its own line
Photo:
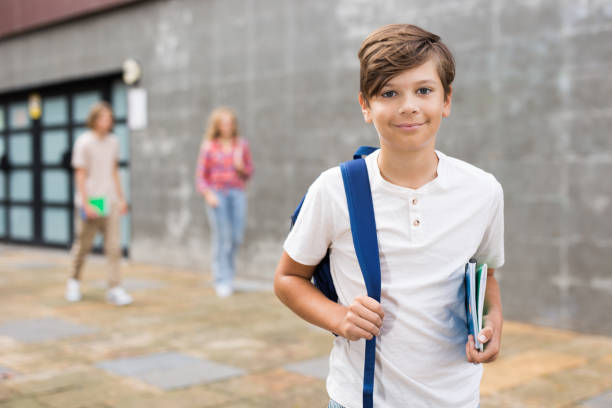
x=490 y=335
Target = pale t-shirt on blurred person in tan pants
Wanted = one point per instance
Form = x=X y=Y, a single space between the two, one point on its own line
x=99 y=156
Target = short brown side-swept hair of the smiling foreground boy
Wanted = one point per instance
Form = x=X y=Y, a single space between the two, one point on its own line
x=394 y=48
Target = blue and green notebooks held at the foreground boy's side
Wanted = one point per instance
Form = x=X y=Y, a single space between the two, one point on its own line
x=475 y=286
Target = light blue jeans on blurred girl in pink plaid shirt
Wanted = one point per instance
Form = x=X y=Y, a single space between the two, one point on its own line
x=227 y=229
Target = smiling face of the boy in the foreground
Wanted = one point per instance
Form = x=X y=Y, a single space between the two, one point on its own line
x=408 y=110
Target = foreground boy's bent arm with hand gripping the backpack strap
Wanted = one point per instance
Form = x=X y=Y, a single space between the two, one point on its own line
x=362 y=319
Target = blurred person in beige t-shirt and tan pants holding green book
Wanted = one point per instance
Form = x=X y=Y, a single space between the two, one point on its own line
x=95 y=161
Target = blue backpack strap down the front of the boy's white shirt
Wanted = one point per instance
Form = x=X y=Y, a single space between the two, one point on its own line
x=365 y=240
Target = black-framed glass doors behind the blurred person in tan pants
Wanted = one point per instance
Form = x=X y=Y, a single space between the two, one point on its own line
x=36 y=177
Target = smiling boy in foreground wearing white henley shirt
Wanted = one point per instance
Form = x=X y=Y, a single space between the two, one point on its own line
x=433 y=213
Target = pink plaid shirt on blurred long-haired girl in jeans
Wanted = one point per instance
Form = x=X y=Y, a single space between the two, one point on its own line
x=216 y=169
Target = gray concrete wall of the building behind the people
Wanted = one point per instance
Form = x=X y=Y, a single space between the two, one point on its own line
x=531 y=104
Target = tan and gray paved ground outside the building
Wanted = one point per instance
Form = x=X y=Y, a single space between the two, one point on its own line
x=180 y=346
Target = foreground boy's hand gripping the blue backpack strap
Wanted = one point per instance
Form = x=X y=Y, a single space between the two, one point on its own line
x=362 y=320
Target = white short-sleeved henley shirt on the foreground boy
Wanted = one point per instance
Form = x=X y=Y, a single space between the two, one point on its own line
x=425 y=237
